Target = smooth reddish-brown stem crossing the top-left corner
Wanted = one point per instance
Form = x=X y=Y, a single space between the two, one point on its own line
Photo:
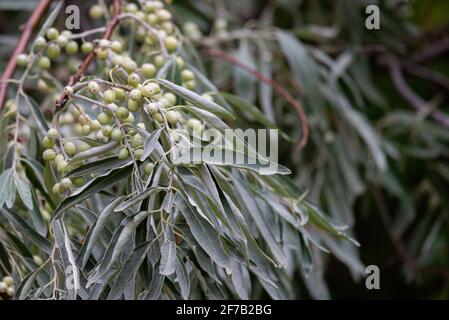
x=21 y=46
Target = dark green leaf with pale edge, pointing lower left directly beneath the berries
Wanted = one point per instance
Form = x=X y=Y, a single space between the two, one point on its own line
x=91 y=188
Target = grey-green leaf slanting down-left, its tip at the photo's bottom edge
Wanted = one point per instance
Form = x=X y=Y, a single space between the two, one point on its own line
x=129 y=270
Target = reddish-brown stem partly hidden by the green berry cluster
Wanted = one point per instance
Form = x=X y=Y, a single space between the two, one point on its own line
x=82 y=70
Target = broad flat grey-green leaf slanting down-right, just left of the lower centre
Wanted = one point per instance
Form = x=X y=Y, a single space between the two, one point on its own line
x=204 y=233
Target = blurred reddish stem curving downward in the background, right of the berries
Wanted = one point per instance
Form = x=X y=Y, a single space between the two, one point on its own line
x=275 y=85
